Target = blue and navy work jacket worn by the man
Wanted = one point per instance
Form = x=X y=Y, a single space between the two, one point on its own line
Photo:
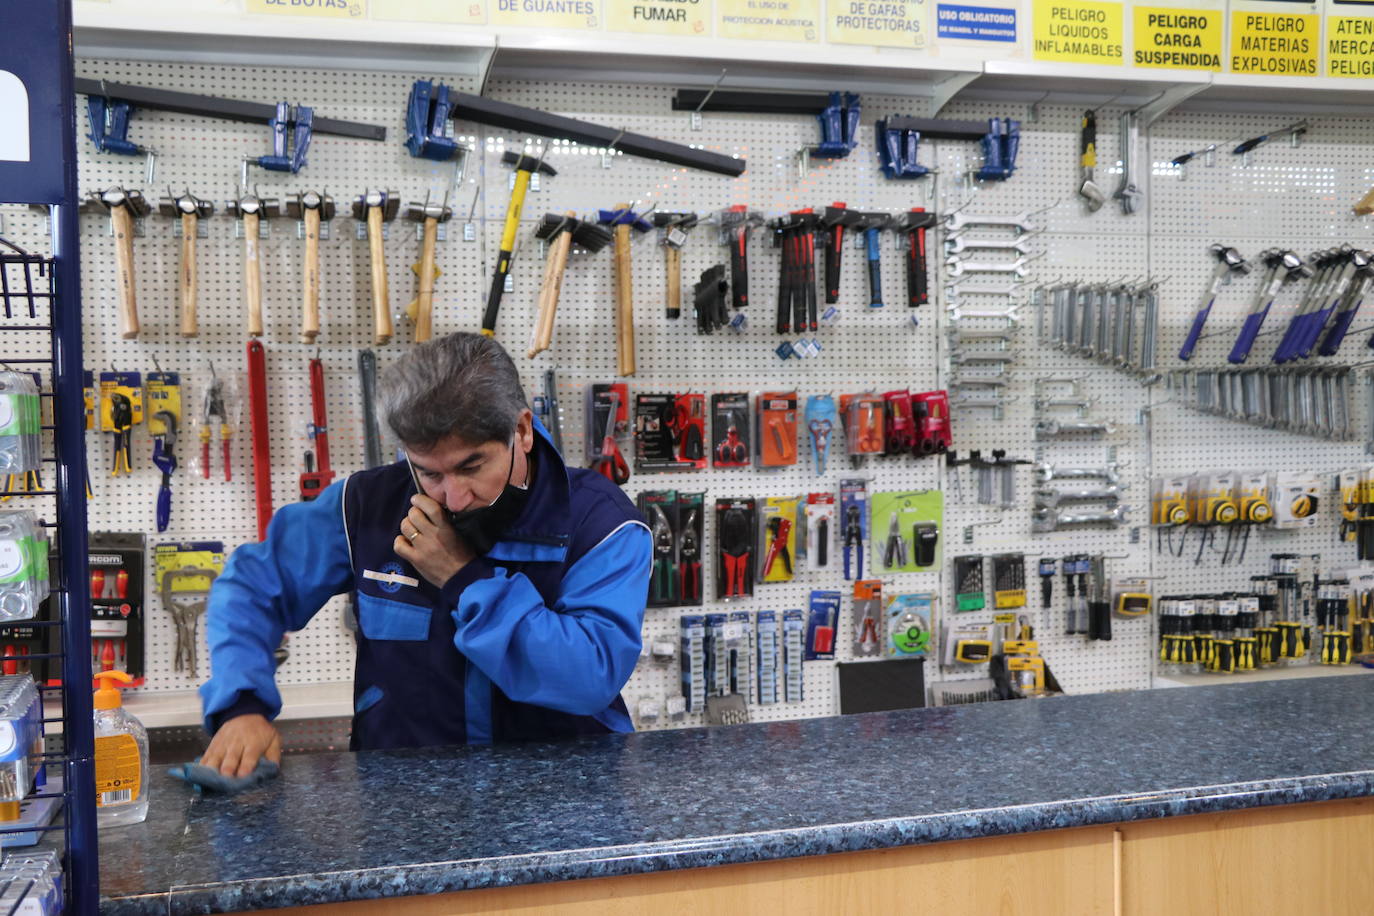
x=534 y=641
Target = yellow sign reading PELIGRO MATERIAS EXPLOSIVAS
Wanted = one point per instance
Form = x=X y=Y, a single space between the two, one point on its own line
x=1276 y=38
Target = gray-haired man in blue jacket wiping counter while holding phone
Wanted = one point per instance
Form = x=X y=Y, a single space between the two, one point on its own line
x=501 y=593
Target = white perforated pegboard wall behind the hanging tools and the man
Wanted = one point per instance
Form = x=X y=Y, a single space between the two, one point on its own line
x=1296 y=198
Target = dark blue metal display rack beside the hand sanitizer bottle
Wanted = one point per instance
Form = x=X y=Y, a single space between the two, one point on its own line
x=42 y=299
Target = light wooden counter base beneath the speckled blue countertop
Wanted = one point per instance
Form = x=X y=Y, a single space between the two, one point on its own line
x=1288 y=859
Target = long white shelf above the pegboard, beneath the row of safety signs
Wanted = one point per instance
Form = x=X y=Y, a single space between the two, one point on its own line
x=604 y=57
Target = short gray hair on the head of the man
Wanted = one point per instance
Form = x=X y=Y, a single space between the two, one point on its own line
x=462 y=385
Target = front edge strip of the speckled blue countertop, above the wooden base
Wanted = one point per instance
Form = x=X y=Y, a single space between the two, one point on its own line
x=438 y=878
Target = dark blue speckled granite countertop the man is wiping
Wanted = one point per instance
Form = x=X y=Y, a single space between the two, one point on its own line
x=340 y=827
